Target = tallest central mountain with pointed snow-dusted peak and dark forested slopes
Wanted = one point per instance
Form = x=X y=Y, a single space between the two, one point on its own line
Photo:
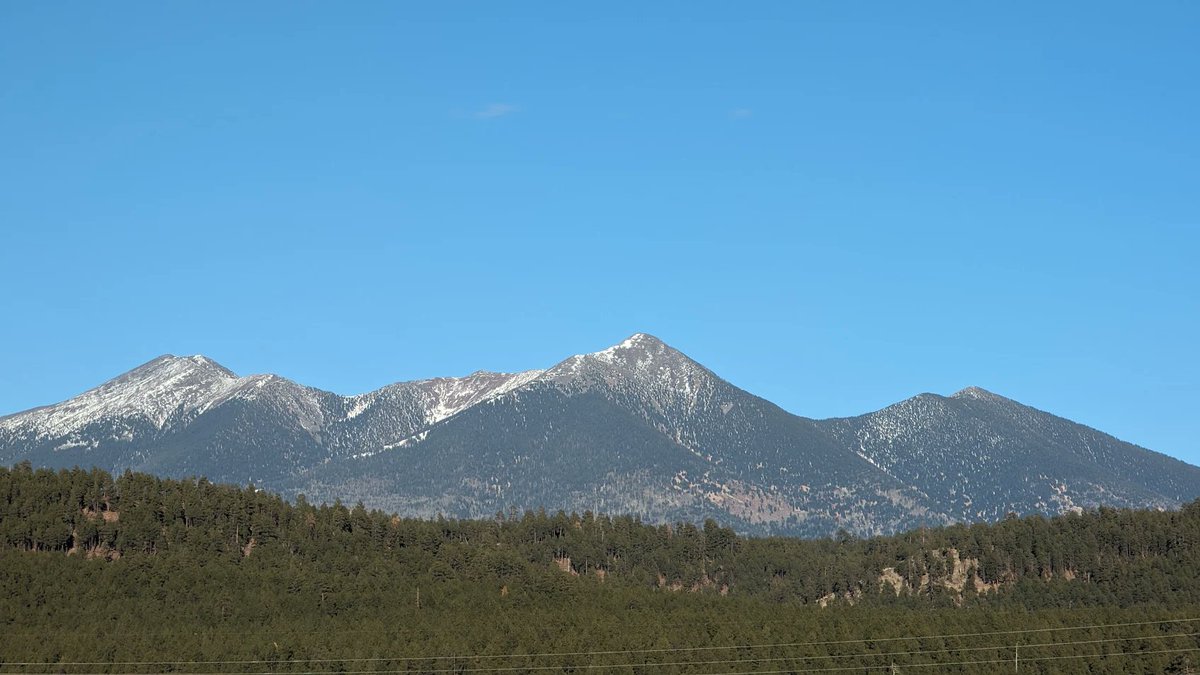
x=637 y=428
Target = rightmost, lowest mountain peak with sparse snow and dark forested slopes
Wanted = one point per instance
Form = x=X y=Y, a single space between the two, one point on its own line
x=980 y=456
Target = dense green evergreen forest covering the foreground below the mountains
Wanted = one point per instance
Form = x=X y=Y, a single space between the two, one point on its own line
x=142 y=575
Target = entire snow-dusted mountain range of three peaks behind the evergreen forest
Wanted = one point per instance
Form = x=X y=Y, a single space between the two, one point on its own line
x=638 y=428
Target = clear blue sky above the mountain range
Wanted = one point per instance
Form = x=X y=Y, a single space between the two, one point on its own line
x=835 y=206
